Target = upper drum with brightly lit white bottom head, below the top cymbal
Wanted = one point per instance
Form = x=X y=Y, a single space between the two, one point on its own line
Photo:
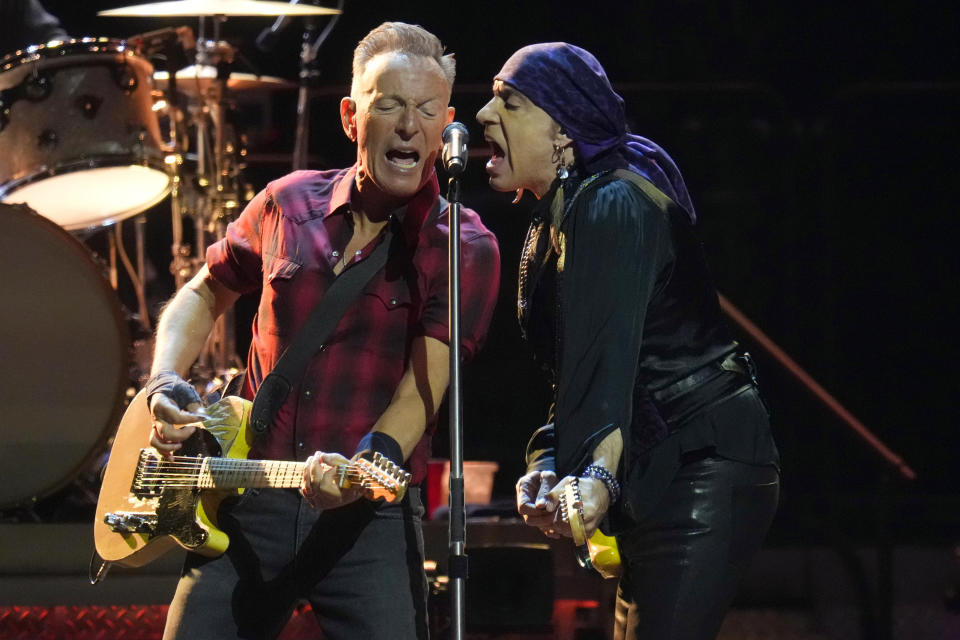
x=81 y=140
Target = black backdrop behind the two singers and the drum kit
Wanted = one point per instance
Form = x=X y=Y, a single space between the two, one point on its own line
x=819 y=141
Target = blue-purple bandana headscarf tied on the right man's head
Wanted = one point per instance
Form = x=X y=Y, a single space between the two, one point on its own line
x=570 y=85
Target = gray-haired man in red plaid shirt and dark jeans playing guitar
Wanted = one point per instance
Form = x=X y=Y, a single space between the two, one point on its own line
x=375 y=386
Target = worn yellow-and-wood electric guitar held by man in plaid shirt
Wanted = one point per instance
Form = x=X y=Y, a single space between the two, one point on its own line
x=149 y=504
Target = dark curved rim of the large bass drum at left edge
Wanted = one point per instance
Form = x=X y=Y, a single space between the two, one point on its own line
x=123 y=369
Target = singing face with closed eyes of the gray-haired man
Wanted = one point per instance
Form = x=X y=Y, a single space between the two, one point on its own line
x=396 y=116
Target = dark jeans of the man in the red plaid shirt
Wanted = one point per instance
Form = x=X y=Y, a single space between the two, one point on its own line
x=359 y=566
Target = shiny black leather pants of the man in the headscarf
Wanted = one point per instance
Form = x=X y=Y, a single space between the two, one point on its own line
x=682 y=563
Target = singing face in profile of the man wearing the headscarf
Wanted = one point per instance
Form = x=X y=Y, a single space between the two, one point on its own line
x=521 y=136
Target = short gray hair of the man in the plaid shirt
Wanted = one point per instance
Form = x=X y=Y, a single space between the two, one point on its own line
x=405 y=38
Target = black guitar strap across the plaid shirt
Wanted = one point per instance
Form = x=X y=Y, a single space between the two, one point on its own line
x=321 y=322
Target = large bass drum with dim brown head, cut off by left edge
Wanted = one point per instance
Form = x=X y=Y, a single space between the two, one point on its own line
x=64 y=353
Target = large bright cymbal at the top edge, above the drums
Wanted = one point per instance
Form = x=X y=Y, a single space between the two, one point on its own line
x=187 y=8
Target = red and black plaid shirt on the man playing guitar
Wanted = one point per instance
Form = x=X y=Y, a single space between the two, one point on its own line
x=286 y=243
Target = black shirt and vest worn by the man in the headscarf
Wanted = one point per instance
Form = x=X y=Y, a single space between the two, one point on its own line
x=625 y=309
